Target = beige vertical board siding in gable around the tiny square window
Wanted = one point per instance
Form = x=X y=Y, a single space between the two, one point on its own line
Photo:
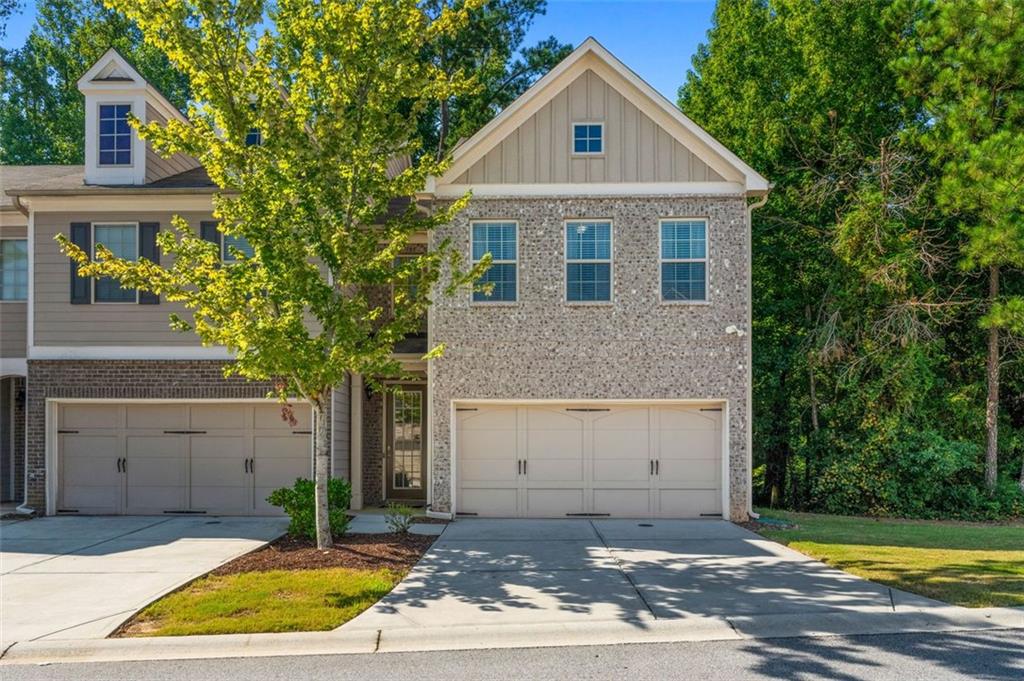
x=636 y=149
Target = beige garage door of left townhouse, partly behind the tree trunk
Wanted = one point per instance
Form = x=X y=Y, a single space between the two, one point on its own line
x=179 y=458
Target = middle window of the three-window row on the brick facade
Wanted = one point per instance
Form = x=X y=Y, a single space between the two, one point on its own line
x=588 y=262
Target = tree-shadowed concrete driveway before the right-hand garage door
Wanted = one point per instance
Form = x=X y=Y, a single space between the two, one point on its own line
x=565 y=572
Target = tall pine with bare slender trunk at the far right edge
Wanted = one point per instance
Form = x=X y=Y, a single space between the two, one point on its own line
x=966 y=63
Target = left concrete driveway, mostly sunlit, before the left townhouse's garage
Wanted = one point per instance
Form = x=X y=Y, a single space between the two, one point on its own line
x=74 y=578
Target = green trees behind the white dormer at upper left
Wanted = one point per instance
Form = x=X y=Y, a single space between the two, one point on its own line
x=42 y=114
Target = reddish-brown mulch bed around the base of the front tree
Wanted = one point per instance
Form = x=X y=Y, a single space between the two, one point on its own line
x=399 y=552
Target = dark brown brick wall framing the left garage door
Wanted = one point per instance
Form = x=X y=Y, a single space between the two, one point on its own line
x=118 y=379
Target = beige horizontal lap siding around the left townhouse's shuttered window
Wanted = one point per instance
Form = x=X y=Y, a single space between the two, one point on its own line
x=59 y=323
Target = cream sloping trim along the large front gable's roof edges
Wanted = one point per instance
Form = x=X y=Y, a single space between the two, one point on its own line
x=591 y=55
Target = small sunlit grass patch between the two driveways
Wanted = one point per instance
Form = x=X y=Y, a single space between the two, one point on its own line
x=259 y=603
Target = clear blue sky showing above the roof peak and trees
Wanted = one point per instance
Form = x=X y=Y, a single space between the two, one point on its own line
x=656 y=38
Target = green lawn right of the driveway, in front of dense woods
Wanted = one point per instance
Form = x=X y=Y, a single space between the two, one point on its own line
x=971 y=565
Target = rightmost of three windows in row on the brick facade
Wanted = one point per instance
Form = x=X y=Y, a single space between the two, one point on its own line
x=685 y=261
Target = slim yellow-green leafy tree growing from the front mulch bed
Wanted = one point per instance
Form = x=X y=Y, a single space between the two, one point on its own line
x=334 y=90
